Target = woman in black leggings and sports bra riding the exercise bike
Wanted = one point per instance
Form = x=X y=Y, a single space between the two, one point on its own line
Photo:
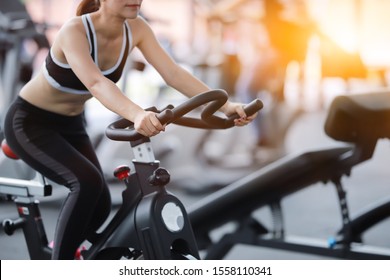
x=45 y=124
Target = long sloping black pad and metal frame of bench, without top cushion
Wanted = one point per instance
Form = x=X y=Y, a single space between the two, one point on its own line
x=266 y=187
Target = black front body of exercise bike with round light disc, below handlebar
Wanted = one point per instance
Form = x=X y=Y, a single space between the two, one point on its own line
x=150 y=220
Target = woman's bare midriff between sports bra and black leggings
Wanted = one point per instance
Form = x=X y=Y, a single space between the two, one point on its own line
x=39 y=93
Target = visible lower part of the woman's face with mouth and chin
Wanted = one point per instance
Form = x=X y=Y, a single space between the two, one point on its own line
x=126 y=8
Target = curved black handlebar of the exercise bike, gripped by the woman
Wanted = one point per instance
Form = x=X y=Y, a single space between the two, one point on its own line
x=123 y=129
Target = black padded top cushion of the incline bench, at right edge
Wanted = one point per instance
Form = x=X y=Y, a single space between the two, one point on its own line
x=356 y=118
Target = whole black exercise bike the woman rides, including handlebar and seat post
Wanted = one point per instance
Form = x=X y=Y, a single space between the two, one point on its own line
x=151 y=223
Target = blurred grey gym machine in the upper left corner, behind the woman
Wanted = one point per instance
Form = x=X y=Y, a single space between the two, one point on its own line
x=16 y=63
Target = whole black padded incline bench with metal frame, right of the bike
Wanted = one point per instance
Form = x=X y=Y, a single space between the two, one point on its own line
x=358 y=121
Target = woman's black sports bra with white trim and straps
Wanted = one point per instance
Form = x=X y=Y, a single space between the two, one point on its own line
x=60 y=75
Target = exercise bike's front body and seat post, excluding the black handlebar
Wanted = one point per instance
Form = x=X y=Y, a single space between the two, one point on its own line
x=145 y=222
